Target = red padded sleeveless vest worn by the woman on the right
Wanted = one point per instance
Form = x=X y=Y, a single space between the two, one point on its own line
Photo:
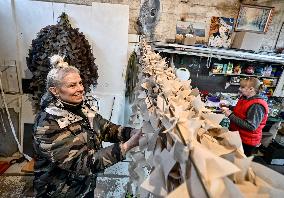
x=252 y=138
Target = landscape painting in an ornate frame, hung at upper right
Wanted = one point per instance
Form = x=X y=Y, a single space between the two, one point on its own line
x=254 y=18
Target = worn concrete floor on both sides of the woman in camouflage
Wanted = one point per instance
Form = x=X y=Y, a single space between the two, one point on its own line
x=113 y=183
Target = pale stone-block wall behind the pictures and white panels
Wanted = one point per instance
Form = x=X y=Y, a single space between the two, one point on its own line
x=199 y=11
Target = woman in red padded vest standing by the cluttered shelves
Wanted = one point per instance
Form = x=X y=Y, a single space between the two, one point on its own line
x=250 y=114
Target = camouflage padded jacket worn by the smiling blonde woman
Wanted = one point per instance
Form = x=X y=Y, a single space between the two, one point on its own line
x=68 y=149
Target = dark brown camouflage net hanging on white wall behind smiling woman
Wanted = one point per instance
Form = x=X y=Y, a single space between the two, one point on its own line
x=66 y=41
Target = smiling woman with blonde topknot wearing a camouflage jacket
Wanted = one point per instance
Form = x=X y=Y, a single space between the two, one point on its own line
x=68 y=135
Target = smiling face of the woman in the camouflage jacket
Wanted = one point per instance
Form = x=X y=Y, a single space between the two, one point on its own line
x=71 y=89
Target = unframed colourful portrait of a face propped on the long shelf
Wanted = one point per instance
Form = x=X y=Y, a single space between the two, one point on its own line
x=220 y=33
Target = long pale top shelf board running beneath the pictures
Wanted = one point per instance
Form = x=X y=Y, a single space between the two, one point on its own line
x=219 y=53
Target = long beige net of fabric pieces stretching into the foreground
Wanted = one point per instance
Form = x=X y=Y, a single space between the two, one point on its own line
x=186 y=150
